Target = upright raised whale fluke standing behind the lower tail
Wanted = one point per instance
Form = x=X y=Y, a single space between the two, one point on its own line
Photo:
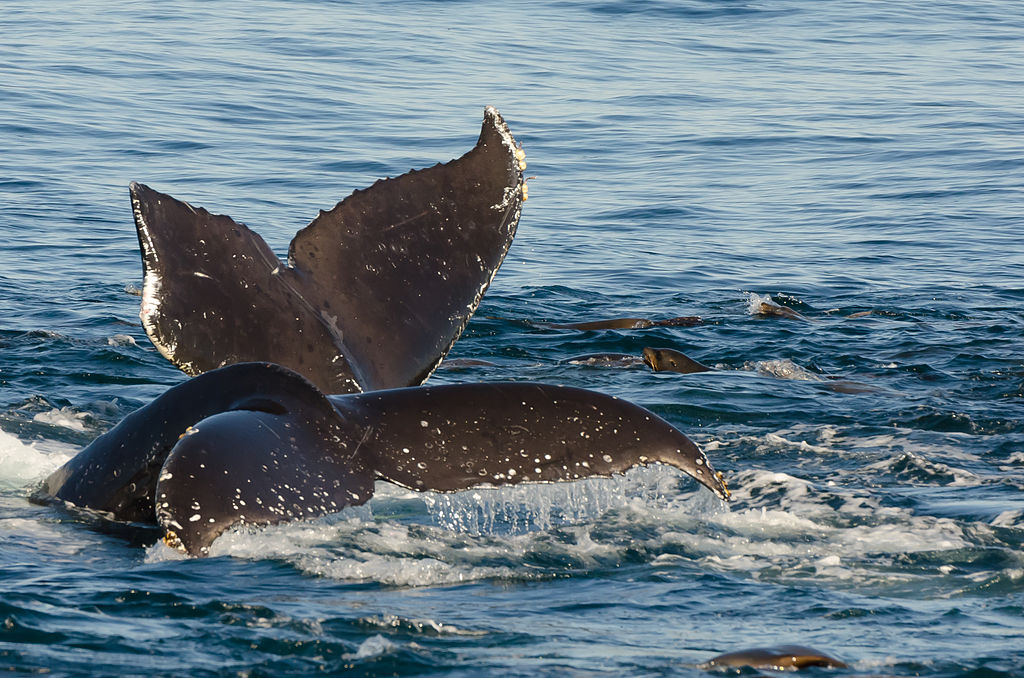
x=375 y=291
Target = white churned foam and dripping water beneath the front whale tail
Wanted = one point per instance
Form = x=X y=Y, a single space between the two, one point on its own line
x=784 y=528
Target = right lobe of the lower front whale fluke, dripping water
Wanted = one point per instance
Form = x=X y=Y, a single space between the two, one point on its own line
x=456 y=437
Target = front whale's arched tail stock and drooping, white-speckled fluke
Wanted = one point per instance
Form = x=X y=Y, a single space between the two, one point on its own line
x=257 y=444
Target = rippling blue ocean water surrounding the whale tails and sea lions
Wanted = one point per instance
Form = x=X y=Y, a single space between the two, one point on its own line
x=862 y=162
